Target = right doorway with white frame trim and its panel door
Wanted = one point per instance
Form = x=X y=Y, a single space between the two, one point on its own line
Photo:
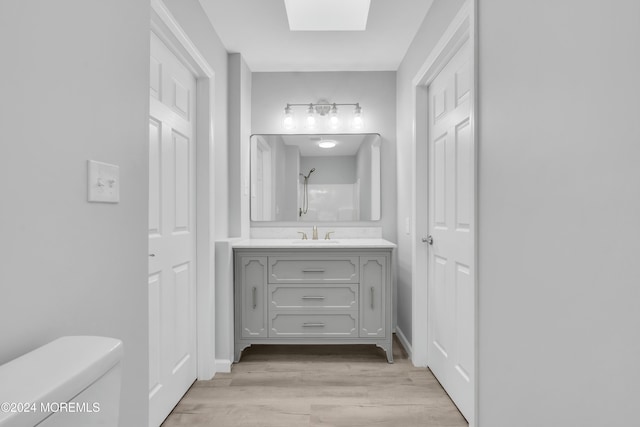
x=444 y=277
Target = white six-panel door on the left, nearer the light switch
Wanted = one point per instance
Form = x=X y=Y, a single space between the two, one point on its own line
x=172 y=243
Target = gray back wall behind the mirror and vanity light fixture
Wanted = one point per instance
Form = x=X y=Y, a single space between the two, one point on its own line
x=376 y=93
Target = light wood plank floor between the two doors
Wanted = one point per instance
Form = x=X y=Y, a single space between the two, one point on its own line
x=350 y=386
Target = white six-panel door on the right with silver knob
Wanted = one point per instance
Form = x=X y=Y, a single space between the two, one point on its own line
x=451 y=225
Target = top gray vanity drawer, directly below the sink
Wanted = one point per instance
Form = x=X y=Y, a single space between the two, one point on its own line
x=316 y=270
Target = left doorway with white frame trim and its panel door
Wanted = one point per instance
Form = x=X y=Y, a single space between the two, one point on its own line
x=188 y=93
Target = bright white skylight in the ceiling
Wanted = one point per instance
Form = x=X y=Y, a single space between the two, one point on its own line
x=327 y=15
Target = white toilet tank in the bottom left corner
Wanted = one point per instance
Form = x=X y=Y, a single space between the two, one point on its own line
x=70 y=382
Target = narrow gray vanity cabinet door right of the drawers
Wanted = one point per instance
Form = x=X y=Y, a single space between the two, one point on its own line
x=373 y=271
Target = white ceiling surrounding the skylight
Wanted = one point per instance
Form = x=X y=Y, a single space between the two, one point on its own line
x=259 y=30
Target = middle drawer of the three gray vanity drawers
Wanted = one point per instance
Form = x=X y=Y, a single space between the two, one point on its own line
x=285 y=296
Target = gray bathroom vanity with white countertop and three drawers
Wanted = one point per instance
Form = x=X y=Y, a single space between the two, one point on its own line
x=313 y=292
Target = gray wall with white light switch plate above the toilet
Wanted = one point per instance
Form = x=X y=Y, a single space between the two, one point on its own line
x=74 y=88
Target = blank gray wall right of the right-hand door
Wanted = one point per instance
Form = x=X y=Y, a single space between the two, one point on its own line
x=559 y=236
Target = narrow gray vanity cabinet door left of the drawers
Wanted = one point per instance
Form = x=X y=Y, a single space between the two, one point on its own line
x=253 y=289
